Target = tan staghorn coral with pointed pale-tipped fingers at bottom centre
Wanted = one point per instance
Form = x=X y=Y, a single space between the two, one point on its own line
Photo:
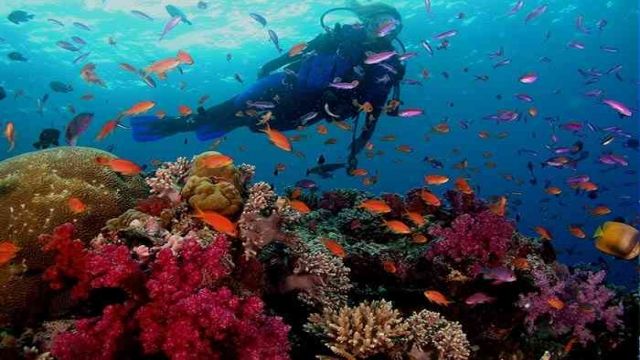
x=370 y=328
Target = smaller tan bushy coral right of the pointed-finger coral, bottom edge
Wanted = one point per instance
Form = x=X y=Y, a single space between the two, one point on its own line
x=430 y=332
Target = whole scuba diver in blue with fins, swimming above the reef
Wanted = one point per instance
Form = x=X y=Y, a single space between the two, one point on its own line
x=328 y=79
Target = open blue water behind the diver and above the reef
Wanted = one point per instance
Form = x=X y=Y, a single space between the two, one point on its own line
x=225 y=27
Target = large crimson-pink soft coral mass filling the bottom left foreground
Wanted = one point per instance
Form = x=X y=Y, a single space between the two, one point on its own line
x=177 y=307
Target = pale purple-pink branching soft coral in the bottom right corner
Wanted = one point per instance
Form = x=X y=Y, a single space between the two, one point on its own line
x=570 y=303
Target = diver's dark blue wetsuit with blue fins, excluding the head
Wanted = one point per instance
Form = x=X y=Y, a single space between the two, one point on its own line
x=302 y=88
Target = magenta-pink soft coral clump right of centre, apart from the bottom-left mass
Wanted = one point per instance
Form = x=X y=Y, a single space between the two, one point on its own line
x=473 y=241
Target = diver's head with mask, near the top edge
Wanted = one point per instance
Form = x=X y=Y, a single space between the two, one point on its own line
x=381 y=21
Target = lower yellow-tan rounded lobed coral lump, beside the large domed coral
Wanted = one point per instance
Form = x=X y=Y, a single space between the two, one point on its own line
x=204 y=194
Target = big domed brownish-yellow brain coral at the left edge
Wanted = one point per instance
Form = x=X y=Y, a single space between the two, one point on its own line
x=34 y=194
